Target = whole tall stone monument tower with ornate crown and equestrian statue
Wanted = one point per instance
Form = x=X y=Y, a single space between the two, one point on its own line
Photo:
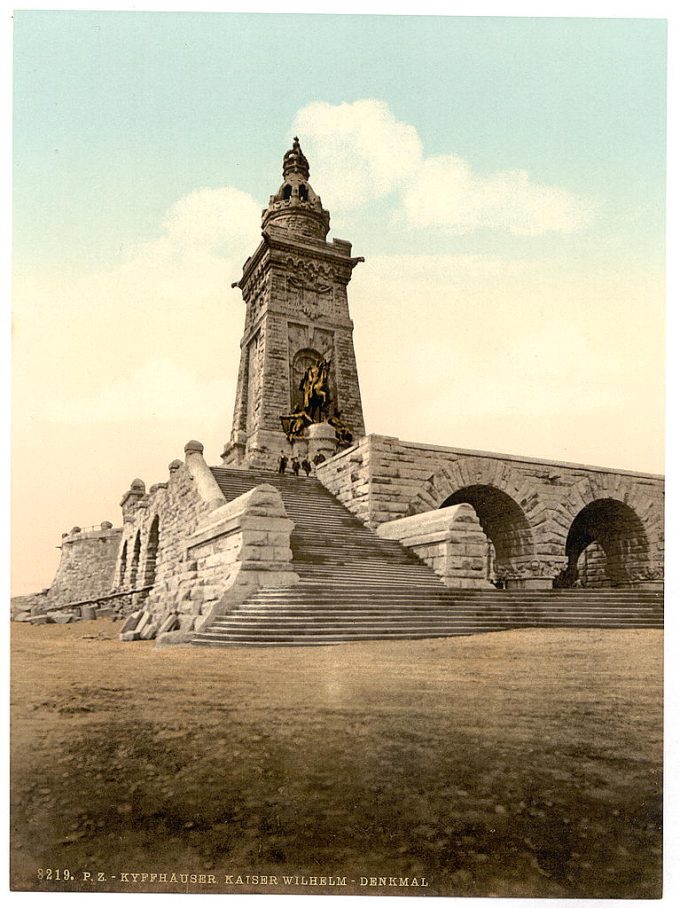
x=297 y=382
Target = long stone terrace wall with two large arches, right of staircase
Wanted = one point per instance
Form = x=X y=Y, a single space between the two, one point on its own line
x=540 y=516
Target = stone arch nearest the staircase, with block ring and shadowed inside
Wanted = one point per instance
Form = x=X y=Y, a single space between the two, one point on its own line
x=509 y=507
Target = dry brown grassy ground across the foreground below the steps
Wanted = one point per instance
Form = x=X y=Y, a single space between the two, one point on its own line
x=525 y=763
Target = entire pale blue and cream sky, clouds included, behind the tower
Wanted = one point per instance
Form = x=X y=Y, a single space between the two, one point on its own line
x=504 y=179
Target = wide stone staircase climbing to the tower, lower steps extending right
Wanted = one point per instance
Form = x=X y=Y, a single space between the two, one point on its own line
x=356 y=586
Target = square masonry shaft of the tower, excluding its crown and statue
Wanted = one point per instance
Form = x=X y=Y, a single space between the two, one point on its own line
x=295 y=290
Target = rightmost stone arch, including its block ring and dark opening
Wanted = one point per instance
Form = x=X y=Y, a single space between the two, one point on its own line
x=621 y=514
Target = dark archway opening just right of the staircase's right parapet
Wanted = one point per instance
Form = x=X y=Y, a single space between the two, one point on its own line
x=509 y=546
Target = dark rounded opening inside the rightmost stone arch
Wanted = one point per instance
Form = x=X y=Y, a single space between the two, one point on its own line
x=606 y=546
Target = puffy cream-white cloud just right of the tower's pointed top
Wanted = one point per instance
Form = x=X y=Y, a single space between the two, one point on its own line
x=362 y=152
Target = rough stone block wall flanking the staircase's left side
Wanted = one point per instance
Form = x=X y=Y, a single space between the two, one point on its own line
x=207 y=554
